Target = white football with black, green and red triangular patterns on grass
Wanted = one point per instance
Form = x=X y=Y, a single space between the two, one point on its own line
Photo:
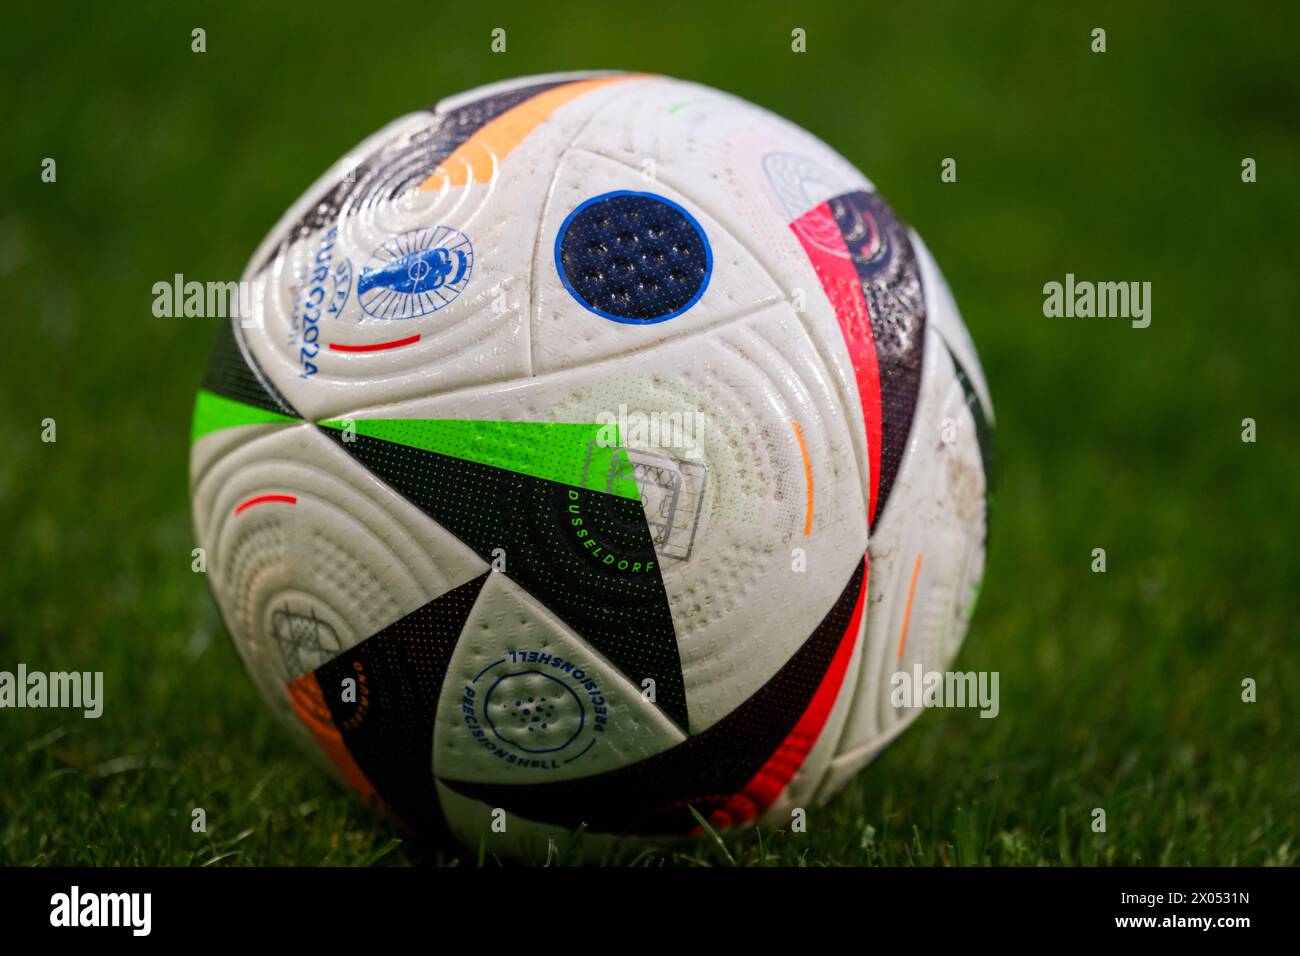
x=596 y=451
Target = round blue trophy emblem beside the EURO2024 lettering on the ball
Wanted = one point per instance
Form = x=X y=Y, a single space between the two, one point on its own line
x=415 y=274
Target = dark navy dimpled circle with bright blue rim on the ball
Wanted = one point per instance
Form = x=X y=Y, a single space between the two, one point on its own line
x=634 y=258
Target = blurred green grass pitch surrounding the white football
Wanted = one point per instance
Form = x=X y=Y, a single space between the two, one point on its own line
x=1120 y=690
